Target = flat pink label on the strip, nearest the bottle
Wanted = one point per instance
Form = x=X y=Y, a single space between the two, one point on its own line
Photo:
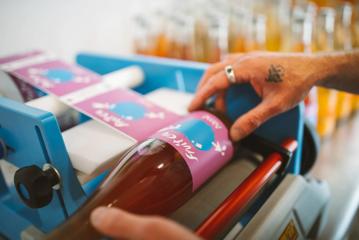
x=128 y=112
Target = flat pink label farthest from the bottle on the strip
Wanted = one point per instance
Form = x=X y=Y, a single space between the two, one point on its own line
x=57 y=77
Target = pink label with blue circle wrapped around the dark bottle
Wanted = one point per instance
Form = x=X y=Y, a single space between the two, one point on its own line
x=203 y=141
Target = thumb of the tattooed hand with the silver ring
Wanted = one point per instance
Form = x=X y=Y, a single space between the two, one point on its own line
x=251 y=120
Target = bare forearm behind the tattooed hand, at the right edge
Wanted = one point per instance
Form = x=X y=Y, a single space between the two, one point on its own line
x=339 y=70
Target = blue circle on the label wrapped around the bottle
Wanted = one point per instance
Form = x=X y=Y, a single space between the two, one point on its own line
x=199 y=133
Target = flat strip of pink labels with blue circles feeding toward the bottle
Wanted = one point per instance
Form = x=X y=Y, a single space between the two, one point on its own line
x=122 y=109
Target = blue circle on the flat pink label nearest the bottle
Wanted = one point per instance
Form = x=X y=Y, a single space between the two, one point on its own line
x=129 y=110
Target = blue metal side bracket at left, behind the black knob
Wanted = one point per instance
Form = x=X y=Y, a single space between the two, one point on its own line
x=33 y=137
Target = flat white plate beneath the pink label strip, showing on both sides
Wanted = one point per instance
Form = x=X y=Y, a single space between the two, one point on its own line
x=92 y=145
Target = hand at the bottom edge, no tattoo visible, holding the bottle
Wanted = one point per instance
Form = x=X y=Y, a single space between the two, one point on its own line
x=116 y=223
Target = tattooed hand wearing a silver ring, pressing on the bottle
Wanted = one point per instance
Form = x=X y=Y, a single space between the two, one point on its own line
x=281 y=80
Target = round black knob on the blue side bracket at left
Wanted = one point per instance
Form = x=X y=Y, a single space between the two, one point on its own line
x=35 y=186
